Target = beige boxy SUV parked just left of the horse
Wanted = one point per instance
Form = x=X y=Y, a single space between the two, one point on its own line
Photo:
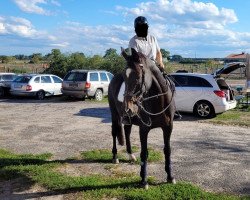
x=86 y=84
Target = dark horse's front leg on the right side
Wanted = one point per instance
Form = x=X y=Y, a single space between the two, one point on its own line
x=167 y=152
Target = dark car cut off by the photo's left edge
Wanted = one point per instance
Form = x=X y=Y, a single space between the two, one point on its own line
x=5 y=82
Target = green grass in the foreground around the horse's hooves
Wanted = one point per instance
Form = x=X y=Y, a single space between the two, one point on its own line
x=40 y=170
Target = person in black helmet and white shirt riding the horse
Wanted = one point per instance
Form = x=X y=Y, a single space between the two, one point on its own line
x=145 y=43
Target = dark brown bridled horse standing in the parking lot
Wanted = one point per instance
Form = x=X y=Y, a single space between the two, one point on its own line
x=148 y=103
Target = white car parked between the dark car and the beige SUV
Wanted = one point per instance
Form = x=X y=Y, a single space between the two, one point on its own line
x=37 y=85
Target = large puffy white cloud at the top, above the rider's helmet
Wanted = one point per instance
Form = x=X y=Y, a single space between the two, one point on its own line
x=183 y=12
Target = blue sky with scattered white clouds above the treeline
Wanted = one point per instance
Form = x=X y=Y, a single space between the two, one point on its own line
x=200 y=28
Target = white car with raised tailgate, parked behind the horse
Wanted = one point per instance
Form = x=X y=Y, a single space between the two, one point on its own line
x=204 y=94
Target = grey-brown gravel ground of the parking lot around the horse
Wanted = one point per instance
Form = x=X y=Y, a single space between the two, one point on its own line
x=215 y=157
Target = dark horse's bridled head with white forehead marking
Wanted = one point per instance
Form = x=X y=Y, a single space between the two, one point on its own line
x=136 y=80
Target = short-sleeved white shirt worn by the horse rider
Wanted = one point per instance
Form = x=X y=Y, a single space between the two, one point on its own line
x=148 y=46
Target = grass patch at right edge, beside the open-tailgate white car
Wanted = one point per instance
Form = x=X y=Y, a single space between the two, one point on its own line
x=239 y=117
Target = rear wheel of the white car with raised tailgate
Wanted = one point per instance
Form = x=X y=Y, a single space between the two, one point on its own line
x=204 y=109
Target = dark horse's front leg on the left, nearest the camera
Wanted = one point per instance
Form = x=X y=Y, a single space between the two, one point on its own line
x=144 y=156
